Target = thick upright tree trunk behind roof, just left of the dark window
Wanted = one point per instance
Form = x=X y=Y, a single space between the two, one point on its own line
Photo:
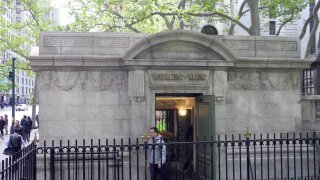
x=255 y=19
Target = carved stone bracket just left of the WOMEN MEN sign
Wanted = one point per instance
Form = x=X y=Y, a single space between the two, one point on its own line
x=138 y=85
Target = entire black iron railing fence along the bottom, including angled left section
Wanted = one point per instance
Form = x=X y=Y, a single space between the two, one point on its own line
x=260 y=157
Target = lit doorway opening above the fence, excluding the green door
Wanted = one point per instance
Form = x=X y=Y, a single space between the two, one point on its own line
x=174 y=116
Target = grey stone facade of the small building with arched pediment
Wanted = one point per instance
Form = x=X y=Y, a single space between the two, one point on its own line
x=103 y=85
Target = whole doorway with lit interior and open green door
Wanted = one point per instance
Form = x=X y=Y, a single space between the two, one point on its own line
x=187 y=118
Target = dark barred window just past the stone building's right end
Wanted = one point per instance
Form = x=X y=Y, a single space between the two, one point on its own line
x=307 y=82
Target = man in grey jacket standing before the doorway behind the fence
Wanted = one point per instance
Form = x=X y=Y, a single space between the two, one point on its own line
x=157 y=155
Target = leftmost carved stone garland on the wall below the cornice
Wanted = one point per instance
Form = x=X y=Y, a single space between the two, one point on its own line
x=66 y=80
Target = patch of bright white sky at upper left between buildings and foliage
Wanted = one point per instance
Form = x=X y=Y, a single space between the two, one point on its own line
x=61 y=5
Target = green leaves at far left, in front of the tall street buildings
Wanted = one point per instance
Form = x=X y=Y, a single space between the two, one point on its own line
x=20 y=37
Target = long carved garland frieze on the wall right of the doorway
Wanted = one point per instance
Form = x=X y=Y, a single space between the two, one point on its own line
x=263 y=80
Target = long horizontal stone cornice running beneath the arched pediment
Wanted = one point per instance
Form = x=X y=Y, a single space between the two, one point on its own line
x=79 y=62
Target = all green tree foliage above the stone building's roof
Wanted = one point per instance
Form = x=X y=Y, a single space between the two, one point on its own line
x=150 y=16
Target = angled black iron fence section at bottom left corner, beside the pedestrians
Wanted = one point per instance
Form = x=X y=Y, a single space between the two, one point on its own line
x=20 y=166
